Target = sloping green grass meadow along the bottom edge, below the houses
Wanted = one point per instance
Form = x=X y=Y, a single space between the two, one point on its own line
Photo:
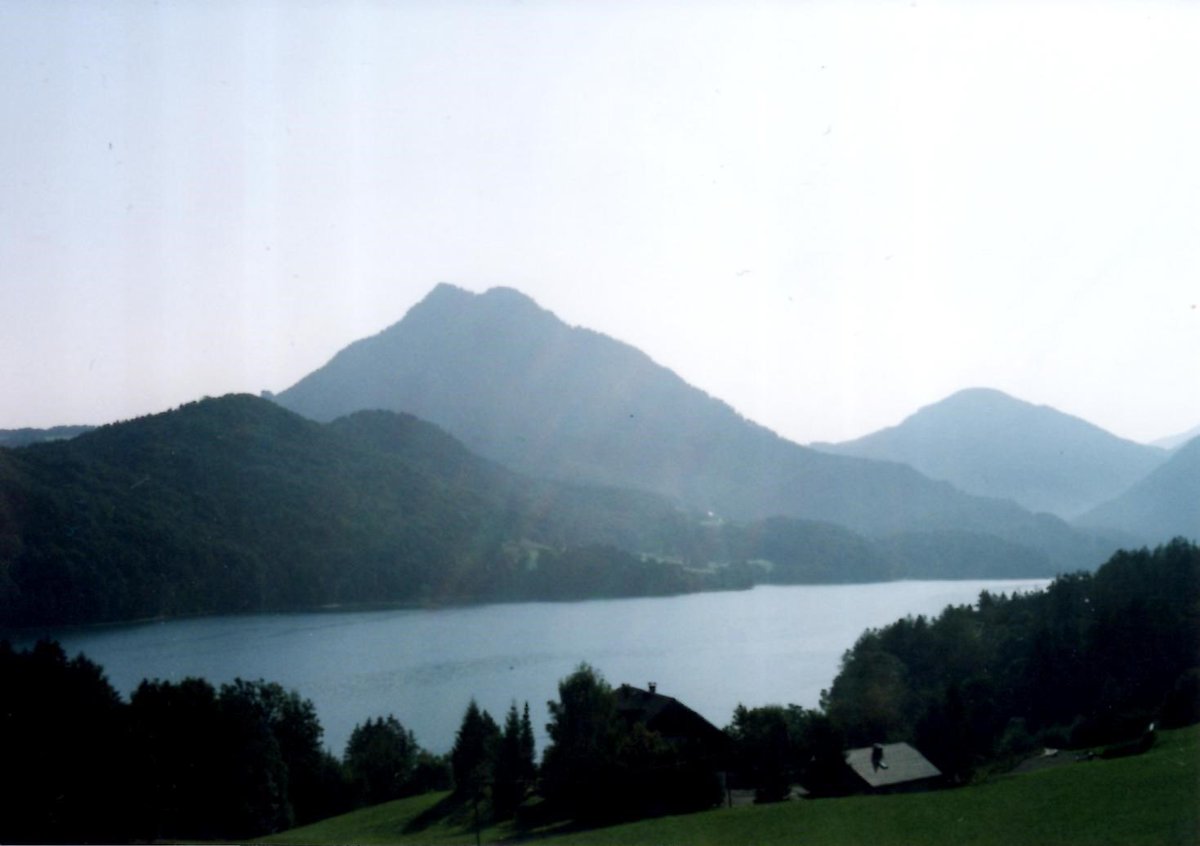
x=1154 y=799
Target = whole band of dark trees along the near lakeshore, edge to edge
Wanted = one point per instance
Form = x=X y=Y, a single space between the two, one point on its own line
x=1089 y=663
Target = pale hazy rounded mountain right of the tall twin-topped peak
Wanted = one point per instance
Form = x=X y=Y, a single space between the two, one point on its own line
x=988 y=443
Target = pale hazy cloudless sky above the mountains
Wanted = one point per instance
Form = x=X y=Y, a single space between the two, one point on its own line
x=827 y=214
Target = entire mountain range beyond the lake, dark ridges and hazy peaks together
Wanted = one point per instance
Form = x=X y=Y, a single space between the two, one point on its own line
x=482 y=449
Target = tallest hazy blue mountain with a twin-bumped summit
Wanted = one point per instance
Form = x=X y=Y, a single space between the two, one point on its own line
x=523 y=388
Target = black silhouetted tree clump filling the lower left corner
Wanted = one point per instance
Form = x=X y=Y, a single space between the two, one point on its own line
x=179 y=761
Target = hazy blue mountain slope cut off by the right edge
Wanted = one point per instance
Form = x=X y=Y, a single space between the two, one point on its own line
x=1163 y=506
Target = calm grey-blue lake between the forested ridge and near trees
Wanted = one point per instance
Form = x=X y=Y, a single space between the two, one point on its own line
x=712 y=651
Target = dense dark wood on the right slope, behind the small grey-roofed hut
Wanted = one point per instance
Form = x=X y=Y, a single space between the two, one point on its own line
x=1091 y=661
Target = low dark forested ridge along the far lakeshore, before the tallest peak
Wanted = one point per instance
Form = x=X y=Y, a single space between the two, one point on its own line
x=239 y=506
